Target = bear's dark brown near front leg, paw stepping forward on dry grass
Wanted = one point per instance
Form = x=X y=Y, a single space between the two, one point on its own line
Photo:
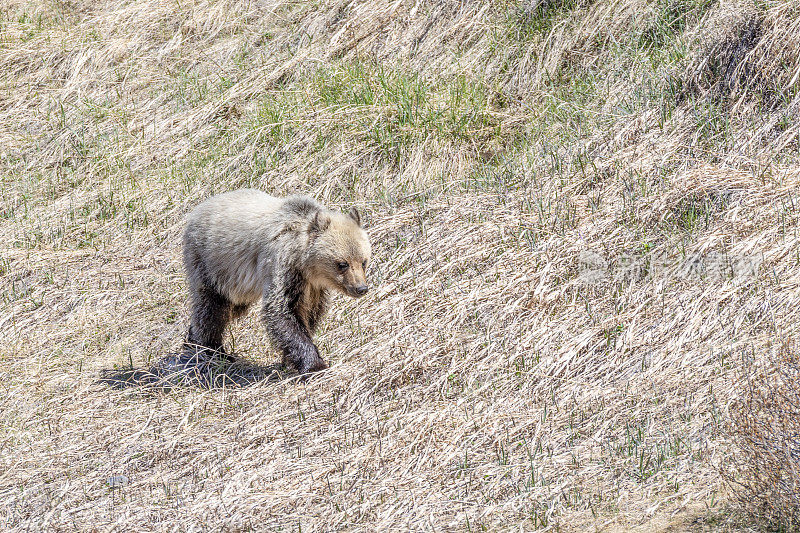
x=291 y=336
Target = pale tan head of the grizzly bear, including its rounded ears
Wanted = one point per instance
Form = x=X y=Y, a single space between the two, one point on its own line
x=339 y=254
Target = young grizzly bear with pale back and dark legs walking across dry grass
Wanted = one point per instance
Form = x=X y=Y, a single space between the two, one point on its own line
x=245 y=245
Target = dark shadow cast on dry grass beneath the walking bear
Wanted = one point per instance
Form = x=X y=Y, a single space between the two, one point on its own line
x=205 y=371
